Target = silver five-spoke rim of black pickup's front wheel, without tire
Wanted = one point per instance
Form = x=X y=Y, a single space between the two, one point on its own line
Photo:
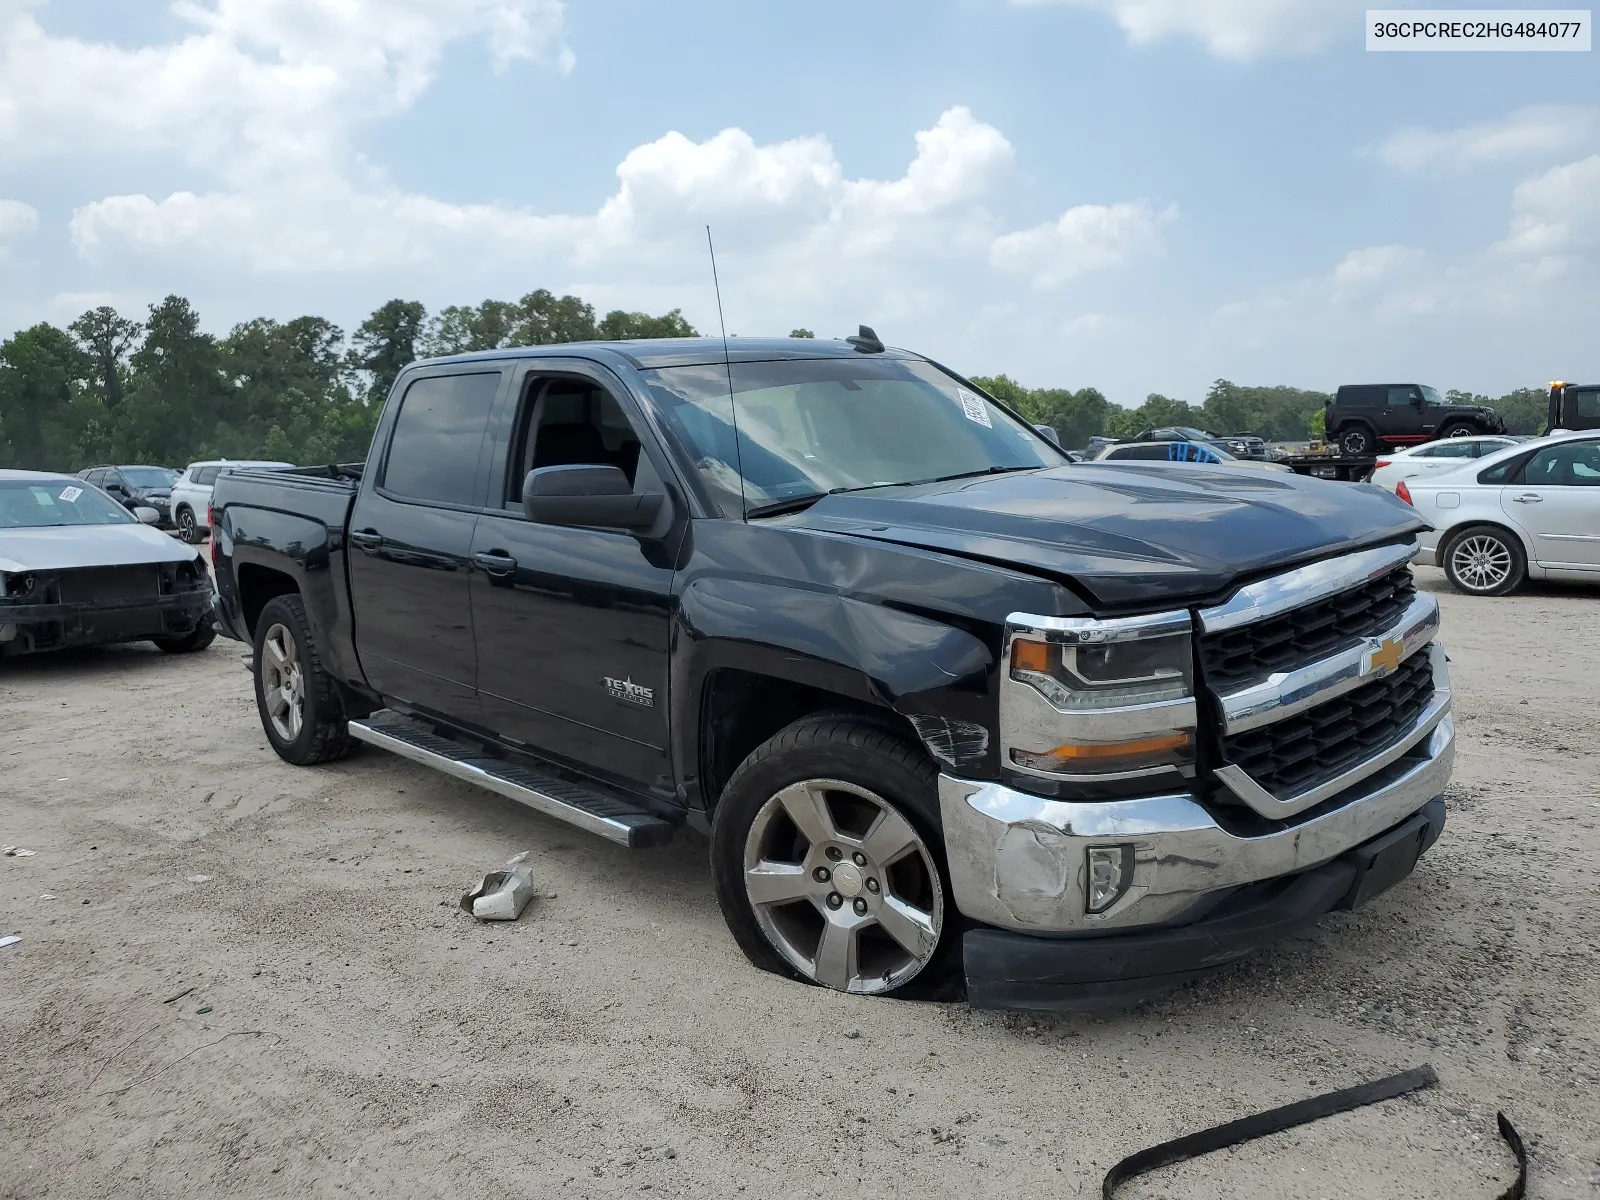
x=844 y=887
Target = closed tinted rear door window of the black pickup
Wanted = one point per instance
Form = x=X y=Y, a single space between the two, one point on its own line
x=434 y=450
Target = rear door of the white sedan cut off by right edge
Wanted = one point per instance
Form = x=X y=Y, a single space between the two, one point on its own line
x=1558 y=498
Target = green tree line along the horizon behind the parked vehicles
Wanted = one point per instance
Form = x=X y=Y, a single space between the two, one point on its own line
x=113 y=390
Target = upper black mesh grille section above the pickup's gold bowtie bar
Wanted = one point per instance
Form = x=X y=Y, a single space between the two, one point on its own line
x=1234 y=658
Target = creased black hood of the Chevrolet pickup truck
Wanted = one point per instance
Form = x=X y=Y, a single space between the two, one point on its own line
x=1129 y=535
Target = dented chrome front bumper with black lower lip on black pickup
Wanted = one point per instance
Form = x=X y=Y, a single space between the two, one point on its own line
x=1202 y=894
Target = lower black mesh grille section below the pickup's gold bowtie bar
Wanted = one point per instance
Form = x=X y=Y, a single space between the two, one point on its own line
x=1302 y=753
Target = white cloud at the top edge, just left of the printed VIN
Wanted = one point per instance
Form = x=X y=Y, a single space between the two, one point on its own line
x=1234 y=30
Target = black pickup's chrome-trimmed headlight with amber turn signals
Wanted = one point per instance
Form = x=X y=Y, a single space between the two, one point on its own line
x=1098 y=700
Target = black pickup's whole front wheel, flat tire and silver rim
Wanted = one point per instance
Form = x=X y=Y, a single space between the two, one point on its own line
x=830 y=866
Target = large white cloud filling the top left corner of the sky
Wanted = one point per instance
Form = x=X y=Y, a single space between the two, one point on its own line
x=255 y=79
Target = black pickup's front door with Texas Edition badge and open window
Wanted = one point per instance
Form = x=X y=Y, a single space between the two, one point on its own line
x=574 y=623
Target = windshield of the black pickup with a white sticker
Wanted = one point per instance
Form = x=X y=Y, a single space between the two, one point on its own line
x=806 y=428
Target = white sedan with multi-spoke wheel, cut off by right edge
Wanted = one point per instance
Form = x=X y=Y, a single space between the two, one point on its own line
x=1526 y=513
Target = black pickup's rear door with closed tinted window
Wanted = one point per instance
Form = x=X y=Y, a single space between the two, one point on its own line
x=412 y=542
